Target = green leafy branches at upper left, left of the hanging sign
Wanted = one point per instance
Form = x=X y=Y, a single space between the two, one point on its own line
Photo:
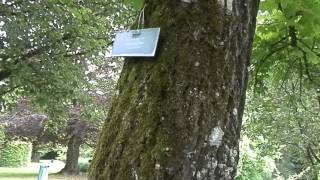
x=44 y=53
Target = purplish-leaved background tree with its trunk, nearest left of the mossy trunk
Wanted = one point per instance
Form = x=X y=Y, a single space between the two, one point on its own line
x=81 y=131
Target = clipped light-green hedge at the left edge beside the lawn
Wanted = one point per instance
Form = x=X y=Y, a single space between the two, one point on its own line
x=15 y=154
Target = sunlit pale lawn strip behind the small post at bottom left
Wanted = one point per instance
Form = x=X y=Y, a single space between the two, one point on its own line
x=31 y=172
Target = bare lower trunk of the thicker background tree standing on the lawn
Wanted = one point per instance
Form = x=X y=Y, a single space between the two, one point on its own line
x=71 y=167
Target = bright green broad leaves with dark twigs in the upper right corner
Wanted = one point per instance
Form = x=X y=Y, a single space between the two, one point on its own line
x=286 y=43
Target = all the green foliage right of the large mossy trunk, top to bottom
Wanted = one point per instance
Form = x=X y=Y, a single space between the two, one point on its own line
x=283 y=103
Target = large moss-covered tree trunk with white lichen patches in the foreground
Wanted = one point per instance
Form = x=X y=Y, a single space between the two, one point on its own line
x=178 y=116
